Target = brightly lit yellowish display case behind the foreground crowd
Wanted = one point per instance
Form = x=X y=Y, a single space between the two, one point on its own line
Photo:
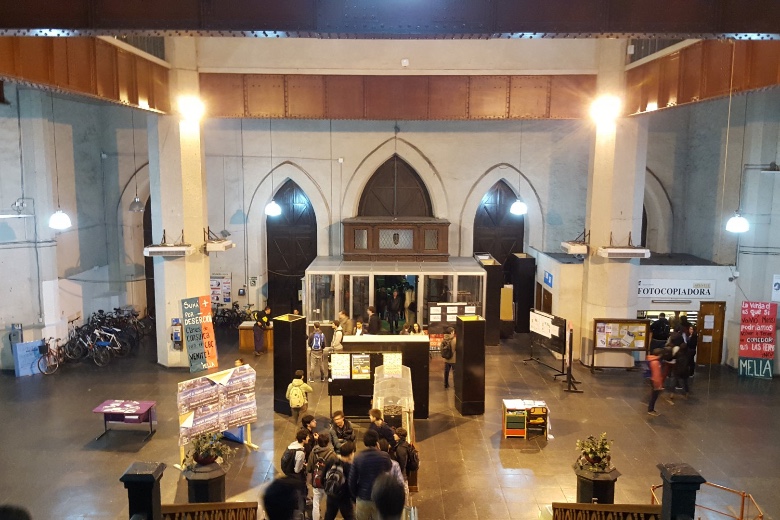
x=393 y=393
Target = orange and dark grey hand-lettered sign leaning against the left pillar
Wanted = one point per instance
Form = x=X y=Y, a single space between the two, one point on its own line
x=199 y=333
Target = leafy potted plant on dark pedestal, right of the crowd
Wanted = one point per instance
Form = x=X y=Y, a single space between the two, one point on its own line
x=596 y=476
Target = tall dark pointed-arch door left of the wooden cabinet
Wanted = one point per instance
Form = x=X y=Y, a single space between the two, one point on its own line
x=291 y=247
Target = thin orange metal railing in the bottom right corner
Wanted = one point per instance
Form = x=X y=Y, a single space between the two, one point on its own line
x=738 y=505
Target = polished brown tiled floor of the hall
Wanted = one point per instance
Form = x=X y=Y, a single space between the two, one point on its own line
x=728 y=430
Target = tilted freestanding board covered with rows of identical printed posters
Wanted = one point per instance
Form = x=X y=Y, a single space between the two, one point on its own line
x=216 y=402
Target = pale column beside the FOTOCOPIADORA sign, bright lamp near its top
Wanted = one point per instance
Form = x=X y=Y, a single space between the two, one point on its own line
x=614 y=204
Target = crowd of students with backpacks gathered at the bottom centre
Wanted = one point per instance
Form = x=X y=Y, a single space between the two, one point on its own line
x=370 y=485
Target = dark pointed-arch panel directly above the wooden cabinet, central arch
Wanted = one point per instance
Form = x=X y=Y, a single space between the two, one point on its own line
x=395 y=190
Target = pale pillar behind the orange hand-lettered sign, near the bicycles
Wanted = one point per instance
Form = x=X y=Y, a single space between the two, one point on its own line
x=179 y=204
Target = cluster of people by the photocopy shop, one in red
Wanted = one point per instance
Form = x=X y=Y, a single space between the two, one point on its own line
x=672 y=358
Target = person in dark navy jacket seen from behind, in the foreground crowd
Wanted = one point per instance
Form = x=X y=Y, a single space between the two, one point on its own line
x=367 y=466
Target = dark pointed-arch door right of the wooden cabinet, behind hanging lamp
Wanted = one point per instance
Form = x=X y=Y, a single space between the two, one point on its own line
x=496 y=230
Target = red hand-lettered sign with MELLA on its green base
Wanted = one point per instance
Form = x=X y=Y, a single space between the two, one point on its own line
x=757 y=339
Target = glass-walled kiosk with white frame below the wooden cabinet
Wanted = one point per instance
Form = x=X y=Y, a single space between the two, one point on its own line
x=333 y=284
